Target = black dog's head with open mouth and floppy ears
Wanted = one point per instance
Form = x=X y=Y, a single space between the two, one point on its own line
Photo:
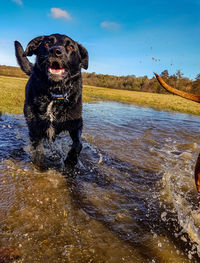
x=57 y=56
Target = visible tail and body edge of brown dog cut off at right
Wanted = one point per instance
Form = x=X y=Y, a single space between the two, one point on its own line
x=192 y=97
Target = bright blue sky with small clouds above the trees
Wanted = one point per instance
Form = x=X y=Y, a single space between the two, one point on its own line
x=122 y=37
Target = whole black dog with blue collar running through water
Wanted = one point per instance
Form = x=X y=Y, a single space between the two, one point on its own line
x=53 y=97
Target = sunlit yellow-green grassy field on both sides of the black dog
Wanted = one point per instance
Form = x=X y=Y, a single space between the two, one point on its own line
x=12 y=97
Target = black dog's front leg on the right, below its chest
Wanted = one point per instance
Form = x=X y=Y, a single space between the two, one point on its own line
x=72 y=157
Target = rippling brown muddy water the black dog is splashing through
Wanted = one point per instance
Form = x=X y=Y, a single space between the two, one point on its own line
x=131 y=198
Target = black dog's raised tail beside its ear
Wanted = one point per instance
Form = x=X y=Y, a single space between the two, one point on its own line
x=22 y=60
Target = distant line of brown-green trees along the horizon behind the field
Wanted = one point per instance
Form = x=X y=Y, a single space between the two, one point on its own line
x=130 y=82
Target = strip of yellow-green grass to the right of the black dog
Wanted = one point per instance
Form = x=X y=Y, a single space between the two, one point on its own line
x=166 y=102
